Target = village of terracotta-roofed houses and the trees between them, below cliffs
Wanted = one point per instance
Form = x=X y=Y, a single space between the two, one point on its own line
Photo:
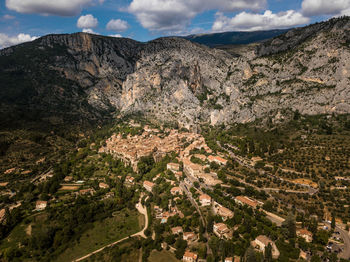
x=191 y=207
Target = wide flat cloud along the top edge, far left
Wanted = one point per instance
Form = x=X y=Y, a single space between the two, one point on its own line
x=49 y=7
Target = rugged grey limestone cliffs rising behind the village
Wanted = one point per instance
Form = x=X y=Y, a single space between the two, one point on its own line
x=83 y=76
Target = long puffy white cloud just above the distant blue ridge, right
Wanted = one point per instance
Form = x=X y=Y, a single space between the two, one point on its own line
x=252 y=22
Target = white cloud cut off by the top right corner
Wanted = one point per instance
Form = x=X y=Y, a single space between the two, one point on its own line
x=325 y=7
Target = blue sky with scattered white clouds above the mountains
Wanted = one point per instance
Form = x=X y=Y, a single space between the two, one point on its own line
x=144 y=20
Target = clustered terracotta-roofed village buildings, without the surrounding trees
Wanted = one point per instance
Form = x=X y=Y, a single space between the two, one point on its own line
x=192 y=167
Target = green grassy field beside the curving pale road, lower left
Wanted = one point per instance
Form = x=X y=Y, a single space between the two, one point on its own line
x=104 y=232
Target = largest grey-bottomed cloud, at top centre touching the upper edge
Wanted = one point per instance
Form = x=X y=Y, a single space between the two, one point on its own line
x=174 y=15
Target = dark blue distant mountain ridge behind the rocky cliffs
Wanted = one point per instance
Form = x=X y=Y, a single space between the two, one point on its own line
x=234 y=38
